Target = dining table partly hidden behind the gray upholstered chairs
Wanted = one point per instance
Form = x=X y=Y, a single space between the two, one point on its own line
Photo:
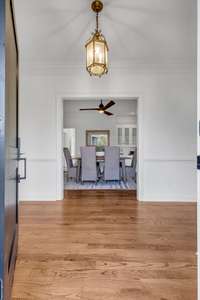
x=101 y=159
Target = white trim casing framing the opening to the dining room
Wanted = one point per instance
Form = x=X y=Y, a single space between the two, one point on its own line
x=140 y=136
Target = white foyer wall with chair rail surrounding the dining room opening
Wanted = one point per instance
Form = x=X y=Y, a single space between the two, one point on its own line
x=169 y=124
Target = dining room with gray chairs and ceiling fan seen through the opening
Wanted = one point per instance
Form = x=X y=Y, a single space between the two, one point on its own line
x=100 y=144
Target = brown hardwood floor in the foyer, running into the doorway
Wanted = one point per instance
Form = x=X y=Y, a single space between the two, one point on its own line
x=100 y=245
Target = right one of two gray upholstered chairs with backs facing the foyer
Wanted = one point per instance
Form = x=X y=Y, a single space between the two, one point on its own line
x=112 y=163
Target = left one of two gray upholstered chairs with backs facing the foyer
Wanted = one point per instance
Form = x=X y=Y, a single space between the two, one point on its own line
x=88 y=164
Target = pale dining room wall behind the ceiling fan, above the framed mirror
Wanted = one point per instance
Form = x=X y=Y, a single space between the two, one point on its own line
x=87 y=120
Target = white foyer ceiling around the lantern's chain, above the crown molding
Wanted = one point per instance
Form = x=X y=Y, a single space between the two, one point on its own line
x=147 y=31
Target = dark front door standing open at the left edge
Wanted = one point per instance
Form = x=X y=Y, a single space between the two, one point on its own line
x=9 y=150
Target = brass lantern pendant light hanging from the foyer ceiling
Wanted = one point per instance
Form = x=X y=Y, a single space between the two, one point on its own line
x=96 y=47
